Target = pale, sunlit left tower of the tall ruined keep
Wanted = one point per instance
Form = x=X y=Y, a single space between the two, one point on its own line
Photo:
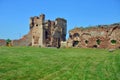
x=36 y=28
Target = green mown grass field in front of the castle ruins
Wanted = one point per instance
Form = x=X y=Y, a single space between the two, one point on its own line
x=30 y=63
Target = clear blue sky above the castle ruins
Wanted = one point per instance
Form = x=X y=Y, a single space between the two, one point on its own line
x=15 y=14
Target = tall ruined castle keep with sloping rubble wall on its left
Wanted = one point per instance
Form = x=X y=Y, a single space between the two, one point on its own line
x=44 y=33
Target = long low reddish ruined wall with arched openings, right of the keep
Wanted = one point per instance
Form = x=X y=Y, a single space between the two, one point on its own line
x=95 y=37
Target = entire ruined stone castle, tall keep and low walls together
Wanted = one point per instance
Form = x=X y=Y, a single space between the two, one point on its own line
x=47 y=33
